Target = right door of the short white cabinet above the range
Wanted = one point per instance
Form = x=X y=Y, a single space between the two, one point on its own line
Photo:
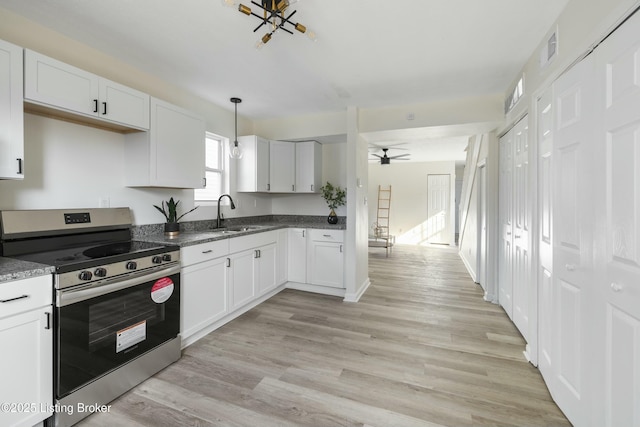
x=124 y=105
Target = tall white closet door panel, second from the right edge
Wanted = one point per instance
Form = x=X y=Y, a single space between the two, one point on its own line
x=572 y=281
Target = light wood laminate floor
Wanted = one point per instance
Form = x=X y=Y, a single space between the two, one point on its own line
x=421 y=348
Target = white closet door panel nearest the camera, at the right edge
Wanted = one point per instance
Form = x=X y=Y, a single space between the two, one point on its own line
x=618 y=221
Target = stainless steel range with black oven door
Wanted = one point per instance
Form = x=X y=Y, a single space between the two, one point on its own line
x=117 y=301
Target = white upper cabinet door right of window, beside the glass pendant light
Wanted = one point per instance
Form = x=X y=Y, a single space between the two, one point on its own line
x=253 y=168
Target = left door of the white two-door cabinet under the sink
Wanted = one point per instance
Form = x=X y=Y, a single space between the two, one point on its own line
x=241 y=278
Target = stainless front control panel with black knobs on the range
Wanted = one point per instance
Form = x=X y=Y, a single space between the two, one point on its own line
x=108 y=272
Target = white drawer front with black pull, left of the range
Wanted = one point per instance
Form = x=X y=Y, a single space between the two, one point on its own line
x=25 y=294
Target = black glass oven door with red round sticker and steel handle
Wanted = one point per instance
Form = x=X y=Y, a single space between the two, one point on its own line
x=101 y=328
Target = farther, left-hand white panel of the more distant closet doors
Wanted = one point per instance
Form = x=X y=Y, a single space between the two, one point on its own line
x=505 y=250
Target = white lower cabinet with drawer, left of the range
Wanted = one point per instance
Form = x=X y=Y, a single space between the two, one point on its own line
x=26 y=362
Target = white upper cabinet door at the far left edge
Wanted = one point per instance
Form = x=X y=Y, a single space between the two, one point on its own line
x=11 y=112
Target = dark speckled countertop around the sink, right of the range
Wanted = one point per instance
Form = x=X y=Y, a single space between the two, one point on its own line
x=190 y=238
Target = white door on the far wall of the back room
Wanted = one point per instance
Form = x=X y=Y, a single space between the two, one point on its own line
x=438 y=209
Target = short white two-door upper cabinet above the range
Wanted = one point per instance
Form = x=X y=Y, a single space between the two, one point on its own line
x=54 y=84
